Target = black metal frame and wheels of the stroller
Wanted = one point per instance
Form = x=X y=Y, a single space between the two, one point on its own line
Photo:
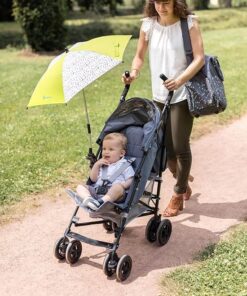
x=69 y=246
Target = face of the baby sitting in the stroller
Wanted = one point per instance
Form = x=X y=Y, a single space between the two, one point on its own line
x=112 y=150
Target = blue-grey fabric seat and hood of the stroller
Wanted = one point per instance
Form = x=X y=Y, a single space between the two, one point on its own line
x=140 y=120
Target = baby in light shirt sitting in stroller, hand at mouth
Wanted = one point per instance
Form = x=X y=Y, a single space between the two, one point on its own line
x=113 y=151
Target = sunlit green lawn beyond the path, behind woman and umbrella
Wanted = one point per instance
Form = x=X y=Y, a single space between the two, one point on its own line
x=45 y=146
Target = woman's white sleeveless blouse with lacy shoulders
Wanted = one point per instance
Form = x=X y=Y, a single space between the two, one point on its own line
x=166 y=55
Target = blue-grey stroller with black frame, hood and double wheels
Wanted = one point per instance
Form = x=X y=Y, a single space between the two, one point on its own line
x=141 y=121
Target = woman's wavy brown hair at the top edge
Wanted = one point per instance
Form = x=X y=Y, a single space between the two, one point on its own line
x=180 y=8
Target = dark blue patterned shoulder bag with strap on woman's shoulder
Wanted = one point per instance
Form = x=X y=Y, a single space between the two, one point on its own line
x=206 y=94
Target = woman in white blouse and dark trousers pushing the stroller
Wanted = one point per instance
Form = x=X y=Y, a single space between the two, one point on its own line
x=161 y=34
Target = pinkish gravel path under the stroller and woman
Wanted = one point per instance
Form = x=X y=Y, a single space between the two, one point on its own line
x=27 y=265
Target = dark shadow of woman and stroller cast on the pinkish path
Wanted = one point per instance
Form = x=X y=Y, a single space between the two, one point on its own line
x=189 y=236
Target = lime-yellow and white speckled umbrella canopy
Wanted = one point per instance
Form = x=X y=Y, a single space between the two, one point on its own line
x=77 y=67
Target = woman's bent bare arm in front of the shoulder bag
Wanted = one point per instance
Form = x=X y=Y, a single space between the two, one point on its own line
x=197 y=63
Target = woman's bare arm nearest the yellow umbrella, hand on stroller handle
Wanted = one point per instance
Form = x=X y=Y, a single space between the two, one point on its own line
x=138 y=59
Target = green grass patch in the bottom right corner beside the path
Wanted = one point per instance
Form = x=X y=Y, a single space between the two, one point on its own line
x=222 y=273
